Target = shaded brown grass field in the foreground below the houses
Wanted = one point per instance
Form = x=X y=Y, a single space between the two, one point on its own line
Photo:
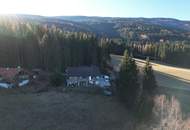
x=65 y=110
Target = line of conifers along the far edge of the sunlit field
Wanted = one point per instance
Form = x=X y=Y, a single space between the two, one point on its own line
x=175 y=53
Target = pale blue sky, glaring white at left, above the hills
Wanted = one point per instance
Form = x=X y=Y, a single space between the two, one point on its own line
x=179 y=9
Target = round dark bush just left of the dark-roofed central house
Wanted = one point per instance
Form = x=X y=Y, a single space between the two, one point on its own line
x=57 y=79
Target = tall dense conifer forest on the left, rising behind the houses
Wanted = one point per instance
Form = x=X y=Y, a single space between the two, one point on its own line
x=32 y=45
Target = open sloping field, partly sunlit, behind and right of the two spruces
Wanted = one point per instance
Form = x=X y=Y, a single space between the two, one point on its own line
x=172 y=81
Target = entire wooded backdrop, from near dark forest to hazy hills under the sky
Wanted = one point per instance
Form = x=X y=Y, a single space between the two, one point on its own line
x=57 y=42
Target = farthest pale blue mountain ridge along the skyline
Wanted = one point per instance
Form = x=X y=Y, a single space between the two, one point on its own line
x=156 y=21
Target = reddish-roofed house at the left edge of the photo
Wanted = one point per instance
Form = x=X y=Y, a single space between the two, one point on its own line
x=10 y=77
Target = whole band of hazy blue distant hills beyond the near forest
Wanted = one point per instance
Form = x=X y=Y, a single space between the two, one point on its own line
x=134 y=29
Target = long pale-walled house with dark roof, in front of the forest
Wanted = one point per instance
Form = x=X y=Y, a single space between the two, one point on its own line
x=86 y=76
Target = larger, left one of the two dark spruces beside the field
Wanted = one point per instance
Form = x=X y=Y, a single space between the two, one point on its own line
x=128 y=85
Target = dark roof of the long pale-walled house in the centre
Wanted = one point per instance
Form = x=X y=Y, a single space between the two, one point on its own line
x=83 y=71
